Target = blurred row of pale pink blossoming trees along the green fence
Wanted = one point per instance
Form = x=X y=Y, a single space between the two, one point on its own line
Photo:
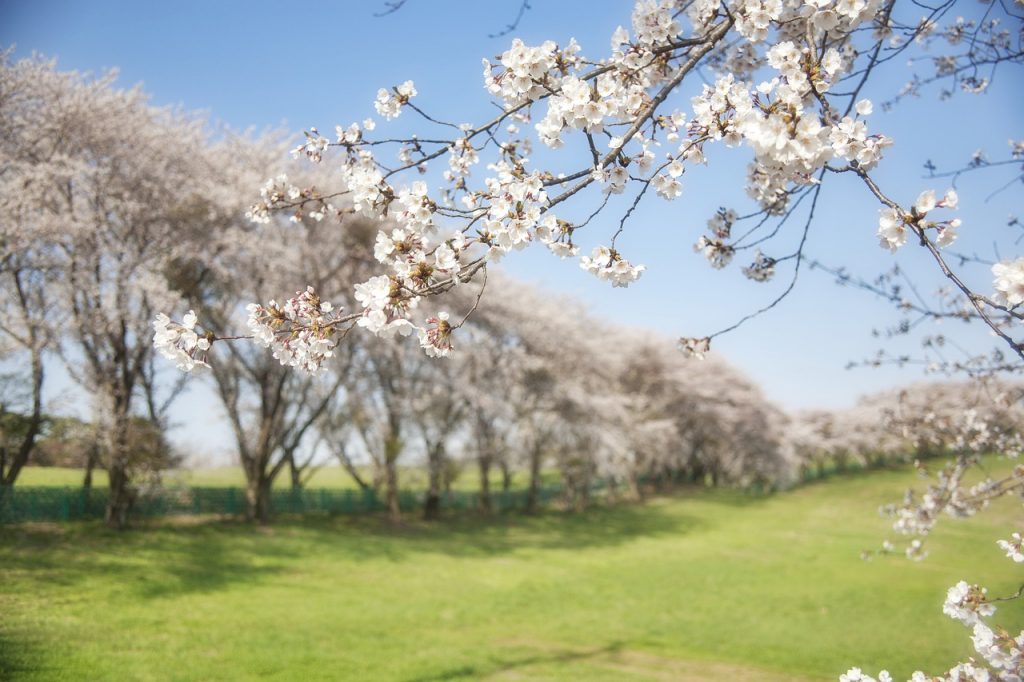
x=113 y=209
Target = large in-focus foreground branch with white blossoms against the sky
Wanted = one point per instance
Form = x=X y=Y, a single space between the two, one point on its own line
x=634 y=138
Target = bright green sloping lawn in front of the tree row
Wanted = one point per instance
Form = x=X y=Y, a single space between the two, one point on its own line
x=703 y=585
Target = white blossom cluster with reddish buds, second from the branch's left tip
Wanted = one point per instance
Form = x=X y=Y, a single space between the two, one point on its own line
x=300 y=331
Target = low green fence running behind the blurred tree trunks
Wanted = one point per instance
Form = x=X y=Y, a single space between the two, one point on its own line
x=20 y=504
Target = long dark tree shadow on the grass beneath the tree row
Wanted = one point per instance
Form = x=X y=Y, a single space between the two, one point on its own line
x=175 y=558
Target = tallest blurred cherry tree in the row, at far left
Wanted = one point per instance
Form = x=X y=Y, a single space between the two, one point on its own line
x=102 y=193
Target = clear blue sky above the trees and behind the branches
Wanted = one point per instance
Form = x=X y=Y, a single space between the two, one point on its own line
x=298 y=65
